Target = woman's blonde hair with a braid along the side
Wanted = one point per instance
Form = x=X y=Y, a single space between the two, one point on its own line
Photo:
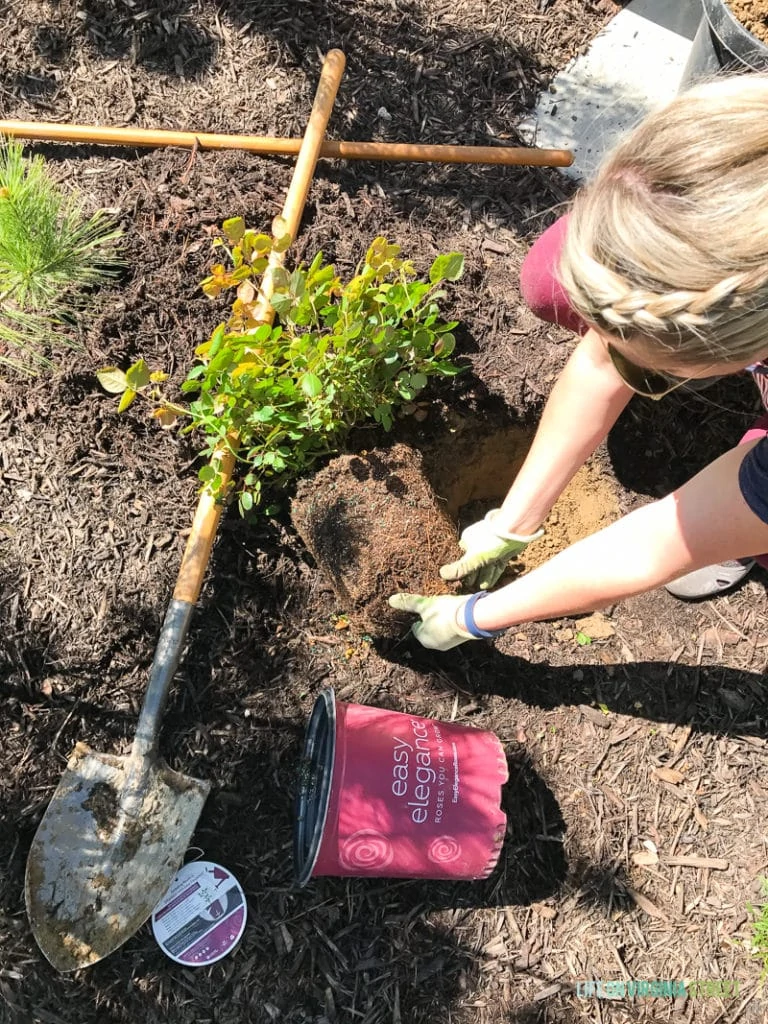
x=669 y=244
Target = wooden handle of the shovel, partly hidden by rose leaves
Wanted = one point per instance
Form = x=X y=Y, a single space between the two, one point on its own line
x=198 y=551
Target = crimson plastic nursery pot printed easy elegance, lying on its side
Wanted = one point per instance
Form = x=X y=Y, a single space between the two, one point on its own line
x=388 y=795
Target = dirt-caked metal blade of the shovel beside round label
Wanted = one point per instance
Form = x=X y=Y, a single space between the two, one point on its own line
x=94 y=875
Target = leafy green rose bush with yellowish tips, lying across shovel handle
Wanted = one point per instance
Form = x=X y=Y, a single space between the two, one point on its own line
x=283 y=396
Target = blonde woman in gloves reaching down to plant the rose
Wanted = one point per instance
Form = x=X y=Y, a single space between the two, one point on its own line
x=663 y=268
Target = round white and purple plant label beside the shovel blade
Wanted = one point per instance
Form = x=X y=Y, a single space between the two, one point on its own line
x=202 y=917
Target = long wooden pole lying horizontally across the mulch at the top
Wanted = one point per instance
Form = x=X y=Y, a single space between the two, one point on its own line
x=407 y=152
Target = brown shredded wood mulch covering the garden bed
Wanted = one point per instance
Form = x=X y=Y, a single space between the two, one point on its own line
x=634 y=736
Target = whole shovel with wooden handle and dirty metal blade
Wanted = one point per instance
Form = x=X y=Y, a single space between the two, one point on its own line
x=117 y=829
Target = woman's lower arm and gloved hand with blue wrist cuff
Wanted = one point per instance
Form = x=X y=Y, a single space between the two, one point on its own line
x=704 y=523
